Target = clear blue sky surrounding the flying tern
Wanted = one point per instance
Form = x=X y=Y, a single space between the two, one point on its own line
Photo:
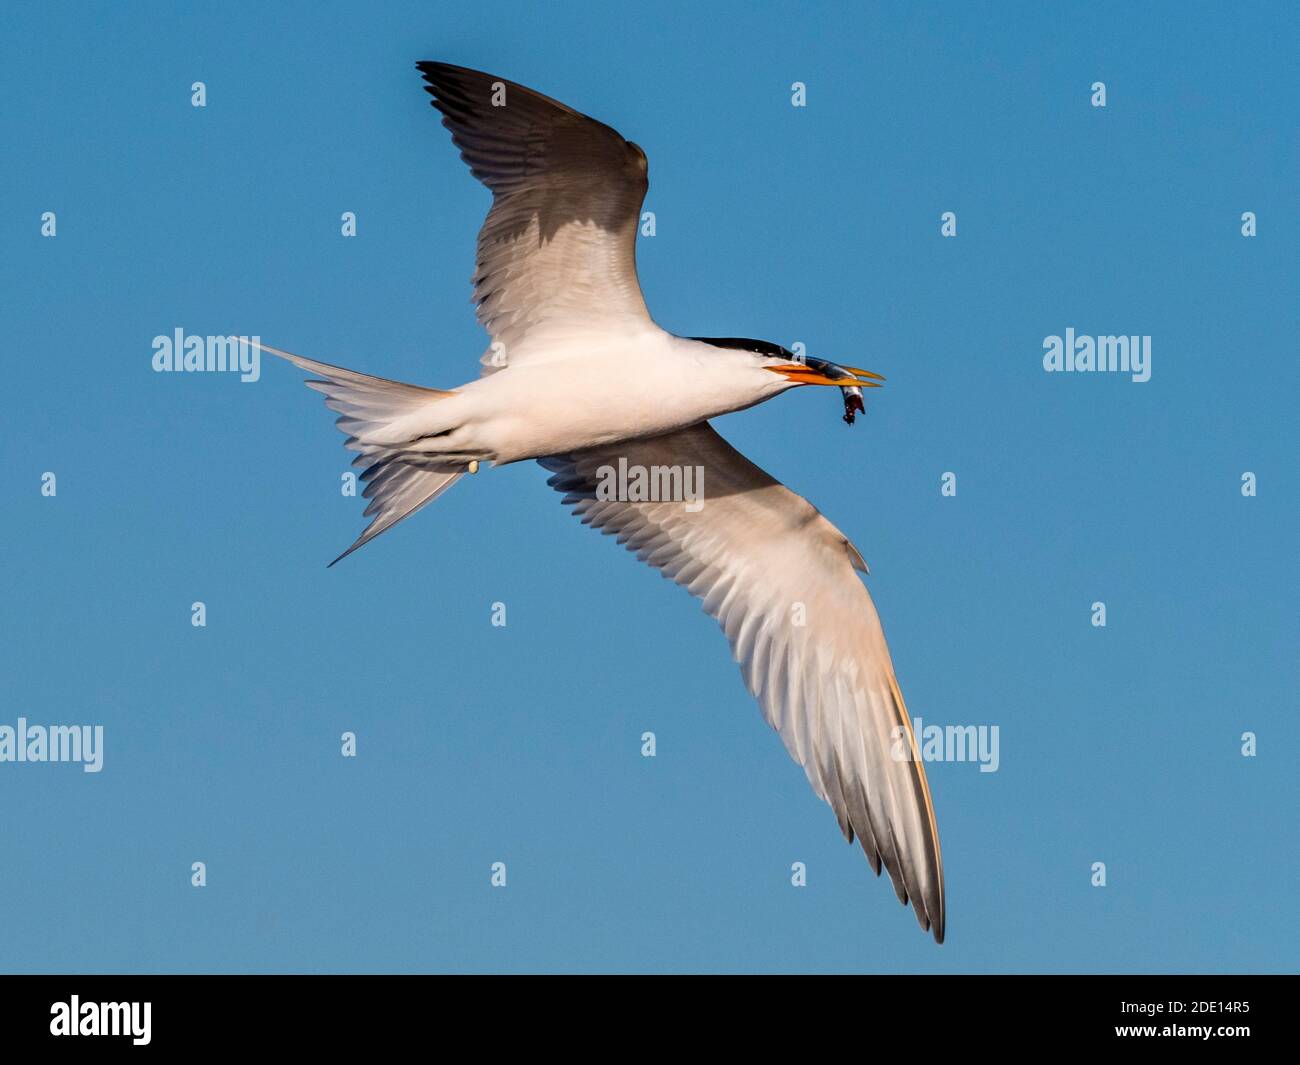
x=522 y=744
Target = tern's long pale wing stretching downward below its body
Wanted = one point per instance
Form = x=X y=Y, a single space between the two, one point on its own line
x=782 y=582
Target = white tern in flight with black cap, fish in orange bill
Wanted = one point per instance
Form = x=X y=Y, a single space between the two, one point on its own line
x=580 y=379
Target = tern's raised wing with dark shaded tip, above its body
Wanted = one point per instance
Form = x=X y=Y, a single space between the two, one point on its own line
x=557 y=254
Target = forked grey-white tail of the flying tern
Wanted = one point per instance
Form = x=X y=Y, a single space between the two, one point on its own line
x=376 y=414
